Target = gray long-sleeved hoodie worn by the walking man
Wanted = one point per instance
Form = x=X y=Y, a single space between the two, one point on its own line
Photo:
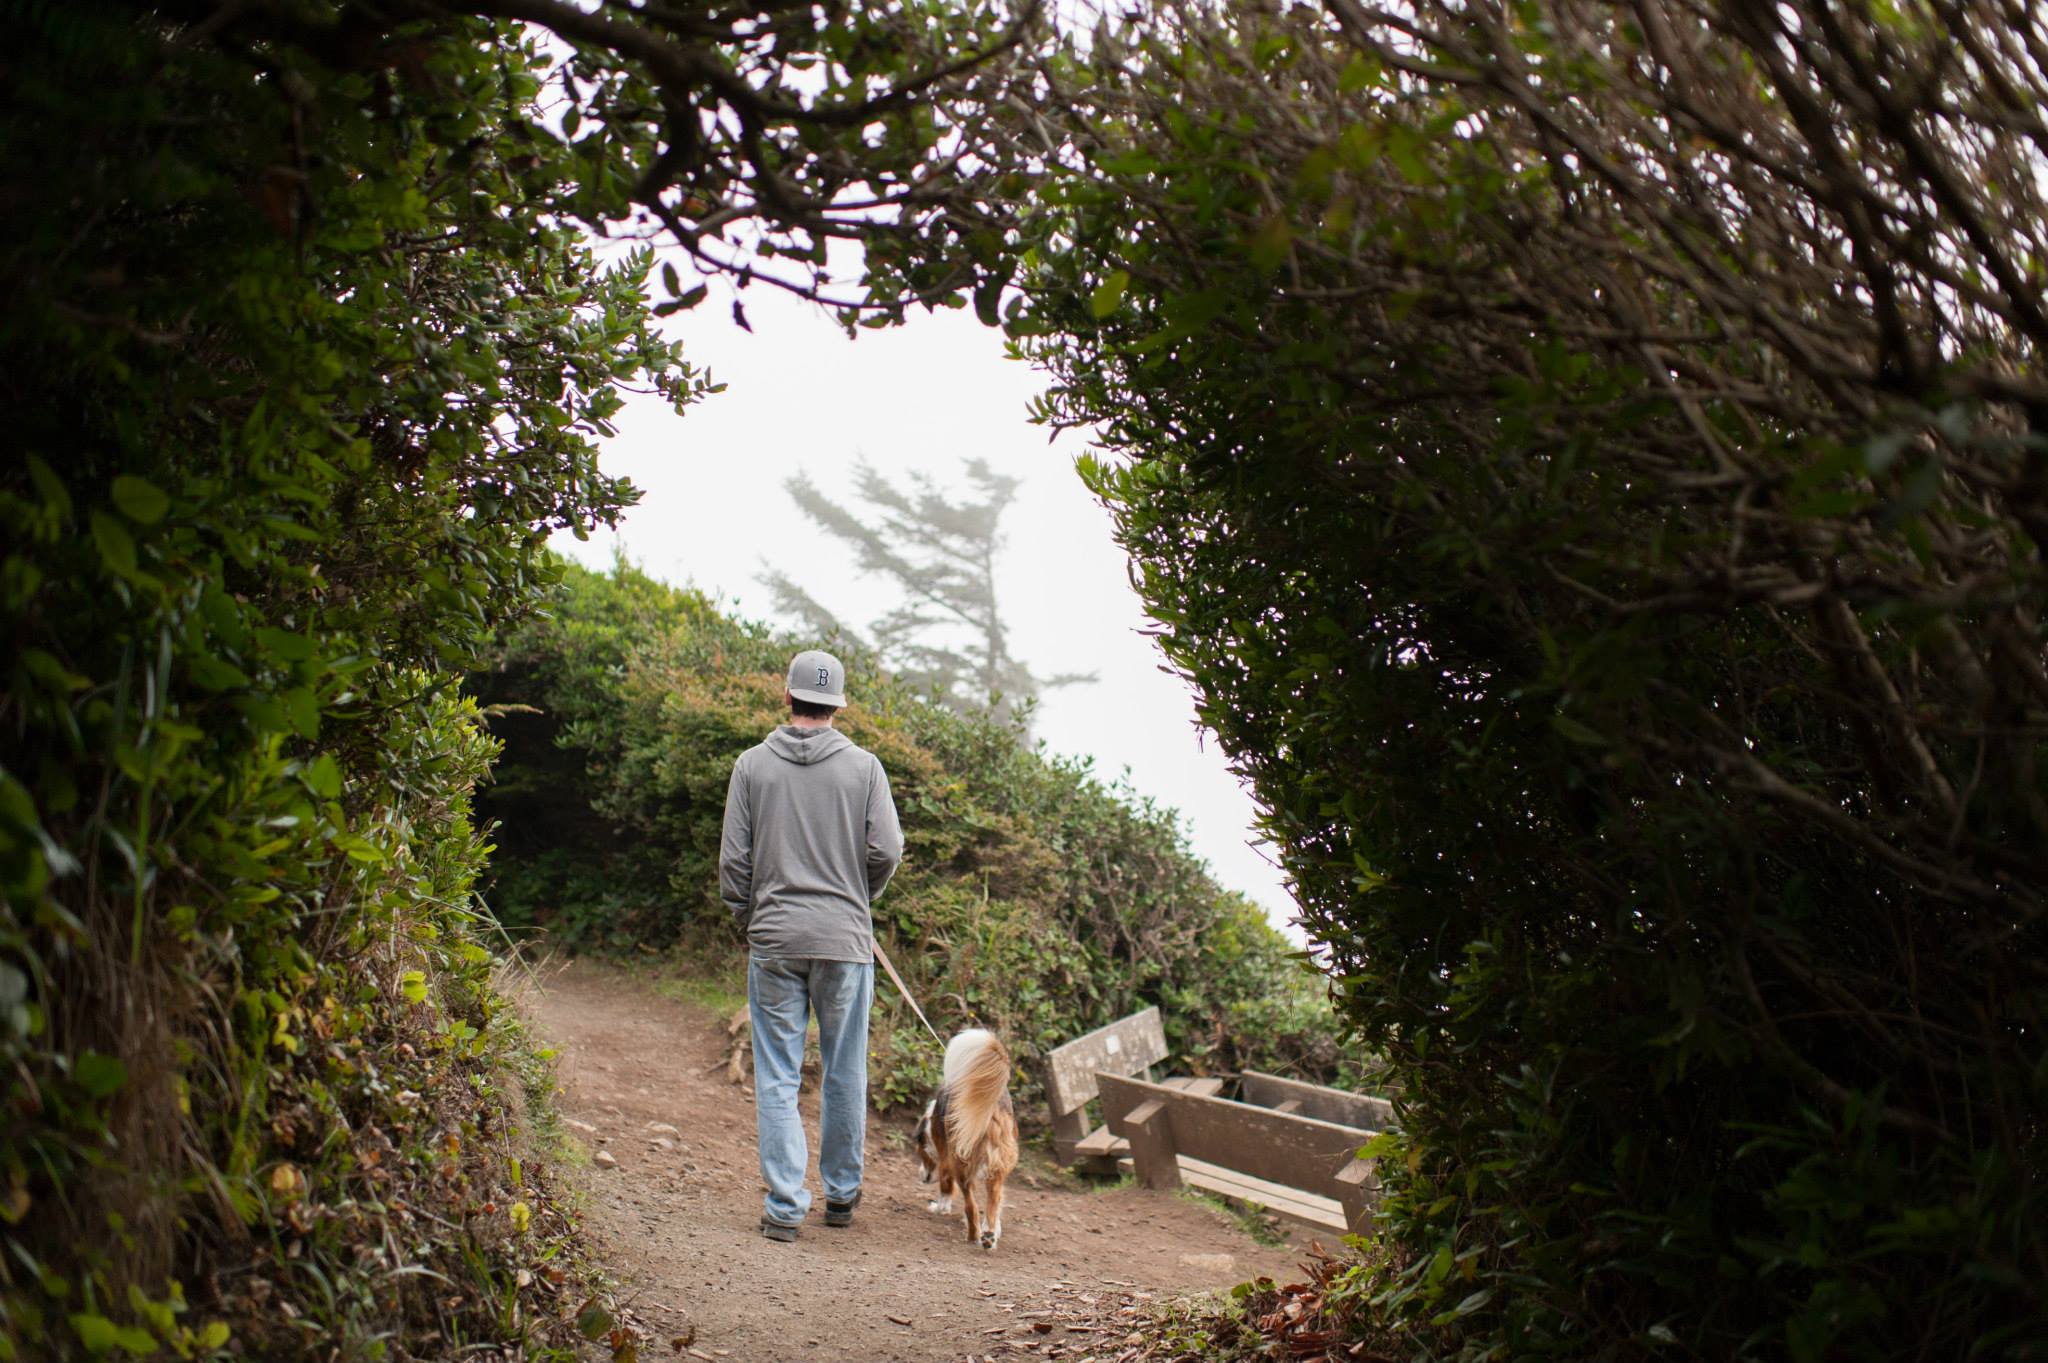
x=810 y=840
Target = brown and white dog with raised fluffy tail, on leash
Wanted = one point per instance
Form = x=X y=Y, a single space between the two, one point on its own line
x=968 y=1137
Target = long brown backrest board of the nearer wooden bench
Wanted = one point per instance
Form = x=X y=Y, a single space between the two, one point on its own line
x=1254 y=1141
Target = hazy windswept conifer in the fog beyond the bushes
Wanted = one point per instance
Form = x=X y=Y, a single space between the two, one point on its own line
x=947 y=637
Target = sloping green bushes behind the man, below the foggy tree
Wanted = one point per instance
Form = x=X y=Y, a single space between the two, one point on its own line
x=1033 y=897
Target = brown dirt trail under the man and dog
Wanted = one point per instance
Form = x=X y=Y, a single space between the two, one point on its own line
x=679 y=1215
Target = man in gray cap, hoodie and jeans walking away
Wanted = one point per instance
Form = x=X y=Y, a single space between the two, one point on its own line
x=810 y=840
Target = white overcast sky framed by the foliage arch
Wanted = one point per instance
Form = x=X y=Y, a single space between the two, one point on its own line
x=919 y=398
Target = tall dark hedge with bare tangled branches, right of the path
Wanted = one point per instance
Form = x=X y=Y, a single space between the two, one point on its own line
x=1590 y=461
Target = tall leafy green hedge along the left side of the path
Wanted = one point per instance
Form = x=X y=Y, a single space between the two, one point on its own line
x=288 y=437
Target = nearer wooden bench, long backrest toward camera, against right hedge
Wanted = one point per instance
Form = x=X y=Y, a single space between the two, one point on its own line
x=1285 y=1161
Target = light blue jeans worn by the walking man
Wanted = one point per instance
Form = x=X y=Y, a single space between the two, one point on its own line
x=781 y=996
